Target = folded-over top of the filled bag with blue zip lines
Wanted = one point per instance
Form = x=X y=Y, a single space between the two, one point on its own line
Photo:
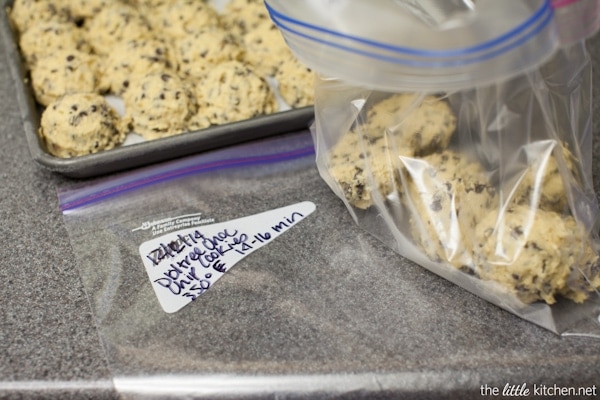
x=396 y=48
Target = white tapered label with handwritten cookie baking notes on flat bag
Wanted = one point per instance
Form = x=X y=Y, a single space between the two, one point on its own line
x=184 y=264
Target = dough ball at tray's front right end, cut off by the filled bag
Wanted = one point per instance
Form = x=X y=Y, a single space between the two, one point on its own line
x=296 y=83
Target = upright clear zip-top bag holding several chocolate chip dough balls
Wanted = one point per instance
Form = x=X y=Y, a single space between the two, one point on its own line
x=459 y=133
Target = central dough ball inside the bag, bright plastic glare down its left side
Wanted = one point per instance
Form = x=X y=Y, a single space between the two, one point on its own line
x=447 y=194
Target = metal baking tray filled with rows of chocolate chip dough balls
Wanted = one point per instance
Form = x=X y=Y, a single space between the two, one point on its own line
x=108 y=85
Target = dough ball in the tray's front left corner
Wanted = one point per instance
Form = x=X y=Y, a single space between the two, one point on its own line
x=79 y=124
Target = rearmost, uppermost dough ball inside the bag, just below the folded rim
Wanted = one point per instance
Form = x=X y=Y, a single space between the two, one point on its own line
x=422 y=123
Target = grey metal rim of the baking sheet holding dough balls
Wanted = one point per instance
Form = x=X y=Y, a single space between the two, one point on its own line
x=137 y=154
